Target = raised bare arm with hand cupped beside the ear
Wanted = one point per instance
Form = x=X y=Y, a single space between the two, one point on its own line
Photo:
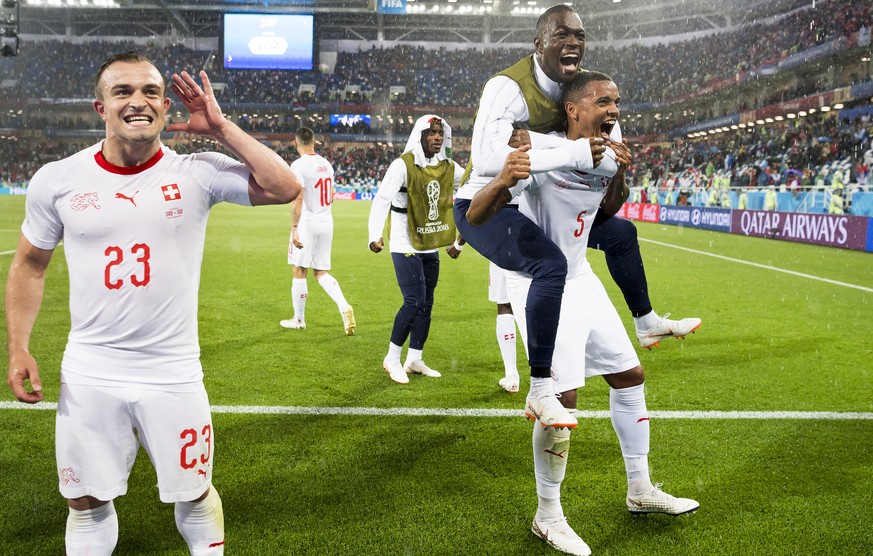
x=272 y=181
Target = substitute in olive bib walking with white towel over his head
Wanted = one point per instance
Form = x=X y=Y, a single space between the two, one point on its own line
x=417 y=190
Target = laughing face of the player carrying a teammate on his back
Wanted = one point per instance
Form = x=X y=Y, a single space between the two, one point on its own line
x=593 y=110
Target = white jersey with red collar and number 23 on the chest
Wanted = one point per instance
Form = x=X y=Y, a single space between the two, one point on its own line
x=133 y=240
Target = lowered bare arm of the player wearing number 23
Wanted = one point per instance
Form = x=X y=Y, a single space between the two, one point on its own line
x=24 y=292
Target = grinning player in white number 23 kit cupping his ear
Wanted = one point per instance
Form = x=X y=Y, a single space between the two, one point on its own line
x=132 y=215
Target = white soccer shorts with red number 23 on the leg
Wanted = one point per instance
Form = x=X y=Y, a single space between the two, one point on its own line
x=98 y=431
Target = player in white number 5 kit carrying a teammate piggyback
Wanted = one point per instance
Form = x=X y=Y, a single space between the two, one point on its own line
x=591 y=339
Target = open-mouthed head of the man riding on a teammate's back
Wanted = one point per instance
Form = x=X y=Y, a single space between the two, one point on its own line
x=560 y=45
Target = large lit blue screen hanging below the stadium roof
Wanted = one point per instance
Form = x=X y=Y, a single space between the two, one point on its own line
x=268 y=41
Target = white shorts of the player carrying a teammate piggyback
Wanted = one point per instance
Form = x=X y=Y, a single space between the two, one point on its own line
x=591 y=339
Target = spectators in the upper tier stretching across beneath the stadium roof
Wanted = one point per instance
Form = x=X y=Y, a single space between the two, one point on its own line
x=442 y=77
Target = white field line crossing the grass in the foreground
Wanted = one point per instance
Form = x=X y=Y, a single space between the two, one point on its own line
x=481 y=412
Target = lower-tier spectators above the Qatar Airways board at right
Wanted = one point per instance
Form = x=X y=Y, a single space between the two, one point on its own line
x=815 y=151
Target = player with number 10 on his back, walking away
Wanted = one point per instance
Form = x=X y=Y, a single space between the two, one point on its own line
x=312 y=233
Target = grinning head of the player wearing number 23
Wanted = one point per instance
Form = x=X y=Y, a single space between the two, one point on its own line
x=132 y=101
